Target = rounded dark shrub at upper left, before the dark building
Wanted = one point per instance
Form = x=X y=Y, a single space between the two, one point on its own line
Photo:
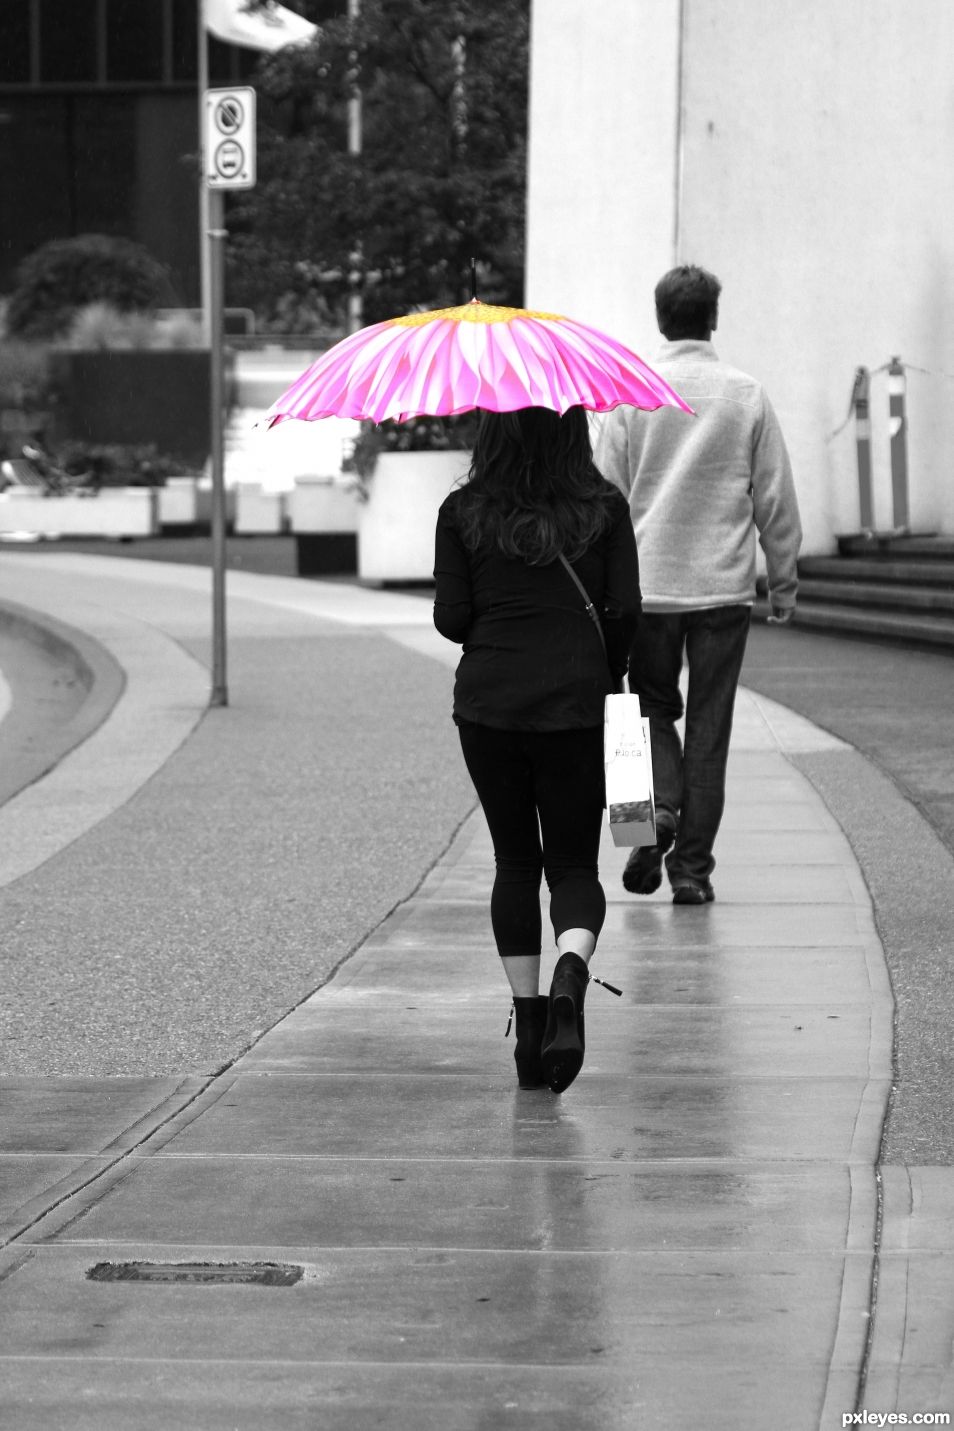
x=69 y=274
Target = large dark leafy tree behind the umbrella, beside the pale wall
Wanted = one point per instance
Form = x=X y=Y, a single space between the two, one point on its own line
x=440 y=177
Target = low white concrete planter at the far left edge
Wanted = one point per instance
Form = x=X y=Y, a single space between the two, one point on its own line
x=115 y=512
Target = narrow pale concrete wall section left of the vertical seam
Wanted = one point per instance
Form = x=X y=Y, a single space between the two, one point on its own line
x=603 y=160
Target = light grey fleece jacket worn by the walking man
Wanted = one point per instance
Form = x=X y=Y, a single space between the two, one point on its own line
x=703 y=487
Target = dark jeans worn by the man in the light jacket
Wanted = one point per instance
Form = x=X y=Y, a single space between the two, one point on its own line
x=690 y=779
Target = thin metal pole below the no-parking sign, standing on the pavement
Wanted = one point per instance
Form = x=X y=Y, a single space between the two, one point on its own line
x=217 y=294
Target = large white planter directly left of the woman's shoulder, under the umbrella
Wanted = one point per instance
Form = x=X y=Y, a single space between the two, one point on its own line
x=395 y=529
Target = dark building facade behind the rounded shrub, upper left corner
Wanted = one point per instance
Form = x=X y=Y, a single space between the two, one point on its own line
x=99 y=127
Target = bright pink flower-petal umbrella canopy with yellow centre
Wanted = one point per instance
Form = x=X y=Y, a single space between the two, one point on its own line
x=478 y=356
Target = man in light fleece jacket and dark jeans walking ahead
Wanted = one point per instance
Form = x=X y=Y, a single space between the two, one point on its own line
x=700 y=492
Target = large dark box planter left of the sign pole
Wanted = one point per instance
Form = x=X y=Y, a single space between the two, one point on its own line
x=132 y=397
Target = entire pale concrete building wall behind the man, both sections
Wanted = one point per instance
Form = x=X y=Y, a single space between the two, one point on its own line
x=809 y=164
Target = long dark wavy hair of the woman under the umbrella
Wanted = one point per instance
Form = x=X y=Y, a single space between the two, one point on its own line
x=534 y=490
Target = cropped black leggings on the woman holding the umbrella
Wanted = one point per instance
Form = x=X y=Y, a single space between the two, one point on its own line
x=543 y=795
